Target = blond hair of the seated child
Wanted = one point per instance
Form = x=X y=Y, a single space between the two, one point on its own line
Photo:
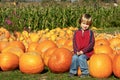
x=86 y=18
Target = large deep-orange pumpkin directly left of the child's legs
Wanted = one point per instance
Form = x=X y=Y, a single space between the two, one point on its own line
x=60 y=60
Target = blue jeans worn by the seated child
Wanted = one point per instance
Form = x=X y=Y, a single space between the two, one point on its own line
x=79 y=61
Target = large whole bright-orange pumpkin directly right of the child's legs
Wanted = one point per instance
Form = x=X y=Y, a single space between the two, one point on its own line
x=100 y=66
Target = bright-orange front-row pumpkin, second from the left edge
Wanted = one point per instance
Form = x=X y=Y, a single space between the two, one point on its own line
x=31 y=63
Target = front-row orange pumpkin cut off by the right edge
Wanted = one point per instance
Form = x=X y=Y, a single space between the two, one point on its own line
x=116 y=65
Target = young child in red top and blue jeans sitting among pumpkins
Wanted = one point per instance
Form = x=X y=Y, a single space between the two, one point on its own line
x=83 y=43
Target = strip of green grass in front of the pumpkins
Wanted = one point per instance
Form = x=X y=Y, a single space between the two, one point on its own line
x=45 y=75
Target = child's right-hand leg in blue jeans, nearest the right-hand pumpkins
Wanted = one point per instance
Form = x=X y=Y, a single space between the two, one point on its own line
x=83 y=64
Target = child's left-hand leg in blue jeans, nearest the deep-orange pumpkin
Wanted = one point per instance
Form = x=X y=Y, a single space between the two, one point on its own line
x=74 y=64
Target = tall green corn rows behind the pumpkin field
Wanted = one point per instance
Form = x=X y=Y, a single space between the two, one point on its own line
x=51 y=15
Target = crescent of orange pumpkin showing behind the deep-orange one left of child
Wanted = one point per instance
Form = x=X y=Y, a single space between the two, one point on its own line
x=47 y=55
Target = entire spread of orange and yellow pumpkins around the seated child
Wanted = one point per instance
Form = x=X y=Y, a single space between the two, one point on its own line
x=31 y=52
